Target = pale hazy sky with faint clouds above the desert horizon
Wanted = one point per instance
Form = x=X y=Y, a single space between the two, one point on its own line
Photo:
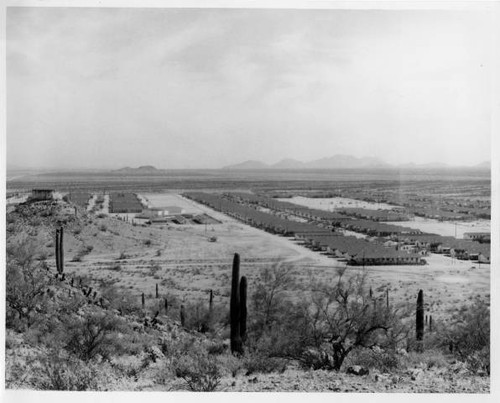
x=203 y=88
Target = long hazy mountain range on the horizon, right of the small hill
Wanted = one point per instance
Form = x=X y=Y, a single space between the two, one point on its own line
x=344 y=162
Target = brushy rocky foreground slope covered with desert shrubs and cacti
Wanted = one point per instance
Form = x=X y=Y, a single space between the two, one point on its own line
x=61 y=335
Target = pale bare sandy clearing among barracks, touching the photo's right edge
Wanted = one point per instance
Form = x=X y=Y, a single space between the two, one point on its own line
x=448 y=228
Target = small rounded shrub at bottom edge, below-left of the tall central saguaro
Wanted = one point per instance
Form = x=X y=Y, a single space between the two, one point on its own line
x=201 y=373
